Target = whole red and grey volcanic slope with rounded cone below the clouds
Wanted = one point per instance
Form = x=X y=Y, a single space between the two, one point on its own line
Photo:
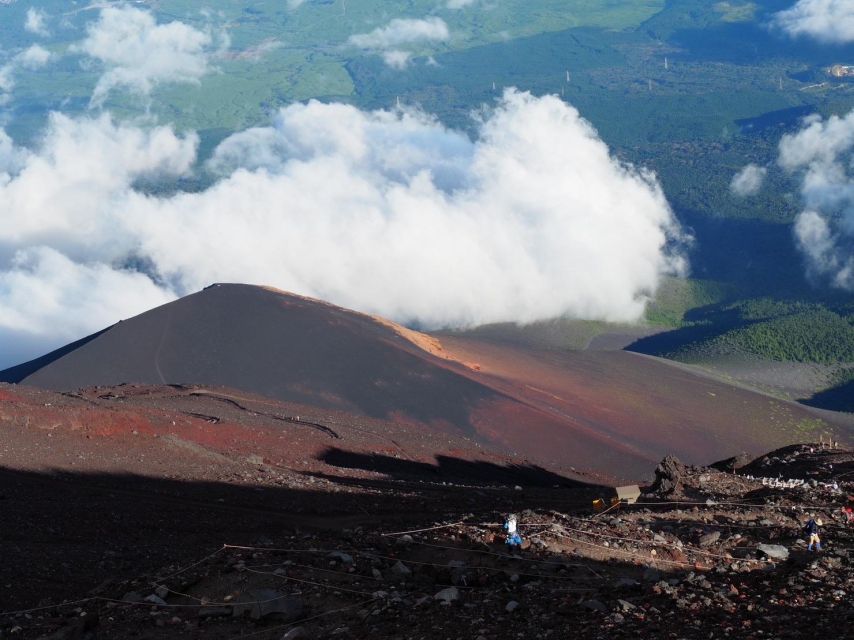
x=407 y=394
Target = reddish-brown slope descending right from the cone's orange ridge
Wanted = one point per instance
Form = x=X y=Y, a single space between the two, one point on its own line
x=617 y=406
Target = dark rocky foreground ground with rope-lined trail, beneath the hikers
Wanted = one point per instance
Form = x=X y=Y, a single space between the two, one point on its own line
x=704 y=554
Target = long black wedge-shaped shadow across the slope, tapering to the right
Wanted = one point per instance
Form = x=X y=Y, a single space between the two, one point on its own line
x=66 y=533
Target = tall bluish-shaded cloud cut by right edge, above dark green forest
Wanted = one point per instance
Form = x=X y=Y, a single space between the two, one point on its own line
x=822 y=153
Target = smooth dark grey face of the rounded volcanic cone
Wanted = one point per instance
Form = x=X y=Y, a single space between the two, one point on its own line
x=266 y=342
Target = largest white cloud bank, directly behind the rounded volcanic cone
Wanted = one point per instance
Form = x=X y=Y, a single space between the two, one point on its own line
x=388 y=213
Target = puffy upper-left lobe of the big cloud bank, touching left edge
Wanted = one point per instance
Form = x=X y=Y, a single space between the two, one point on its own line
x=63 y=195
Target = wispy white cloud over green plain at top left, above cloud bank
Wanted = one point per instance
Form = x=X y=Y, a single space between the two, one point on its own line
x=138 y=54
